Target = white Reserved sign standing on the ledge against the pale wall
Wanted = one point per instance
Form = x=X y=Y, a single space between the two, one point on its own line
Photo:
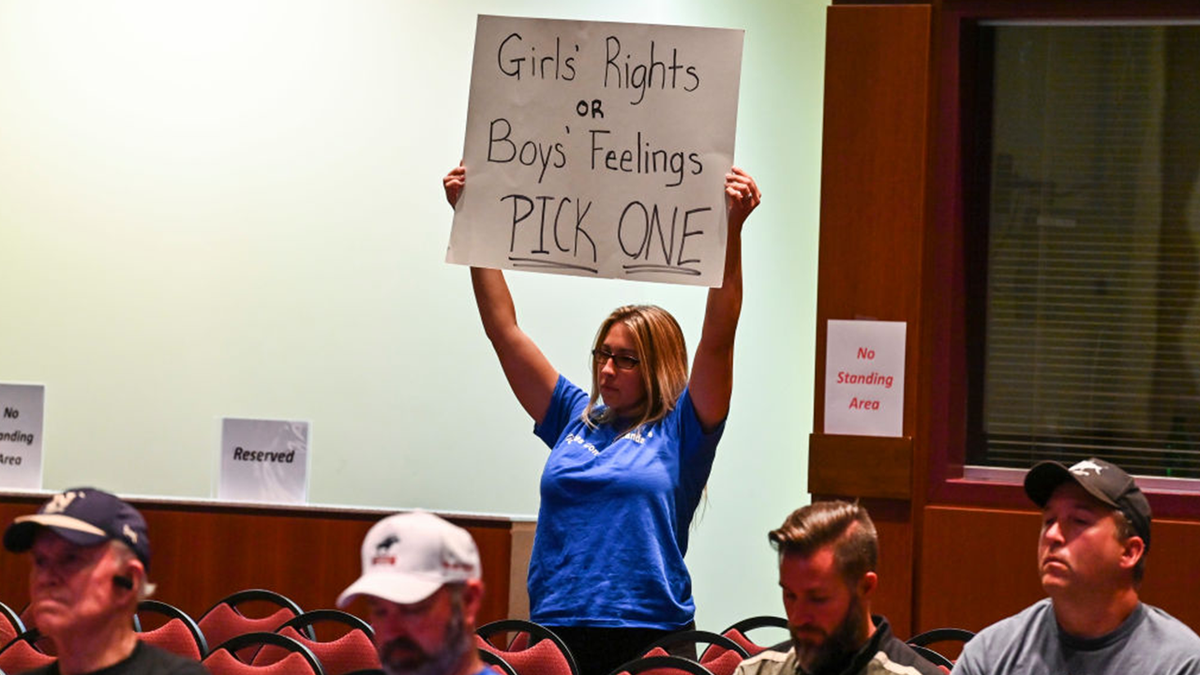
x=265 y=461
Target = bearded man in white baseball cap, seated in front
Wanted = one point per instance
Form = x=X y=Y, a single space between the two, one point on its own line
x=422 y=578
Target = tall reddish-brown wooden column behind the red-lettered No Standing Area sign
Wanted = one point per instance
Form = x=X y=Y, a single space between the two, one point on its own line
x=873 y=213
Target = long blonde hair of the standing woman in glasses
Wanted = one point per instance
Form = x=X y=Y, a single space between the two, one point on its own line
x=663 y=359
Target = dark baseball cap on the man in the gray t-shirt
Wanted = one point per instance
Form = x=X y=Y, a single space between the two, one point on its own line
x=1105 y=481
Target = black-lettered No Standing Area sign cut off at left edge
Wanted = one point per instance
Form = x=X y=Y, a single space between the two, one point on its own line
x=22 y=411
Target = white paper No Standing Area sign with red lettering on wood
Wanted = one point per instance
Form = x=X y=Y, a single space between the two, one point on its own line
x=865 y=378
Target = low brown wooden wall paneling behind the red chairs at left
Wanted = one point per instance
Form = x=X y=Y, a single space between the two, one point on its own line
x=202 y=553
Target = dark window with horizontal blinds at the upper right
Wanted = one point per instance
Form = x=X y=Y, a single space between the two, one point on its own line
x=1091 y=343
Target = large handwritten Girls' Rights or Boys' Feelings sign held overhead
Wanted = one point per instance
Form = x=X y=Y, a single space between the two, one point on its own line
x=599 y=150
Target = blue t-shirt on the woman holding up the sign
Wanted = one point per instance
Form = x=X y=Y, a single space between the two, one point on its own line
x=613 y=529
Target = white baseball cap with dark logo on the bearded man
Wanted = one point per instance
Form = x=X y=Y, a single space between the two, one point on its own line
x=409 y=557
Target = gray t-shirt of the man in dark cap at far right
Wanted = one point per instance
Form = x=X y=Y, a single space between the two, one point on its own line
x=1150 y=642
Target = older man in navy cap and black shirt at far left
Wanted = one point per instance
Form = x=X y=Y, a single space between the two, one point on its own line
x=92 y=553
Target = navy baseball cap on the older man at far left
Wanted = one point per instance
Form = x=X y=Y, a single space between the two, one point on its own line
x=85 y=517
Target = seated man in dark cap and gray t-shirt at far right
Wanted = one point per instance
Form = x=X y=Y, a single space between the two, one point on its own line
x=1091 y=558
